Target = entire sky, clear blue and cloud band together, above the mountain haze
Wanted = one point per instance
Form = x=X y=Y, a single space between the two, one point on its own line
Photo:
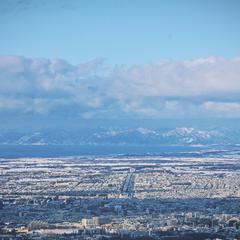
x=119 y=59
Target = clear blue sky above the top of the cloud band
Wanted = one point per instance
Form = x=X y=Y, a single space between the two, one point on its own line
x=123 y=32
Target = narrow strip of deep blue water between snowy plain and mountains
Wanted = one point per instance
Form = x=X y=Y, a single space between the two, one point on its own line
x=17 y=151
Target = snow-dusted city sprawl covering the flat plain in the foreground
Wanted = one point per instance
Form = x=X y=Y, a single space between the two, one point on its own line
x=117 y=197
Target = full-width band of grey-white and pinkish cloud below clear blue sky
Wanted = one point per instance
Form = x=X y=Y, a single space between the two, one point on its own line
x=207 y=87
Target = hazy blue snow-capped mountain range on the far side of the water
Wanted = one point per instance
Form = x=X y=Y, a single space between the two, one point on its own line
x=124 y=136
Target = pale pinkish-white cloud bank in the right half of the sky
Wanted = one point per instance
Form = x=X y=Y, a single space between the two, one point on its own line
x=179 y=79
